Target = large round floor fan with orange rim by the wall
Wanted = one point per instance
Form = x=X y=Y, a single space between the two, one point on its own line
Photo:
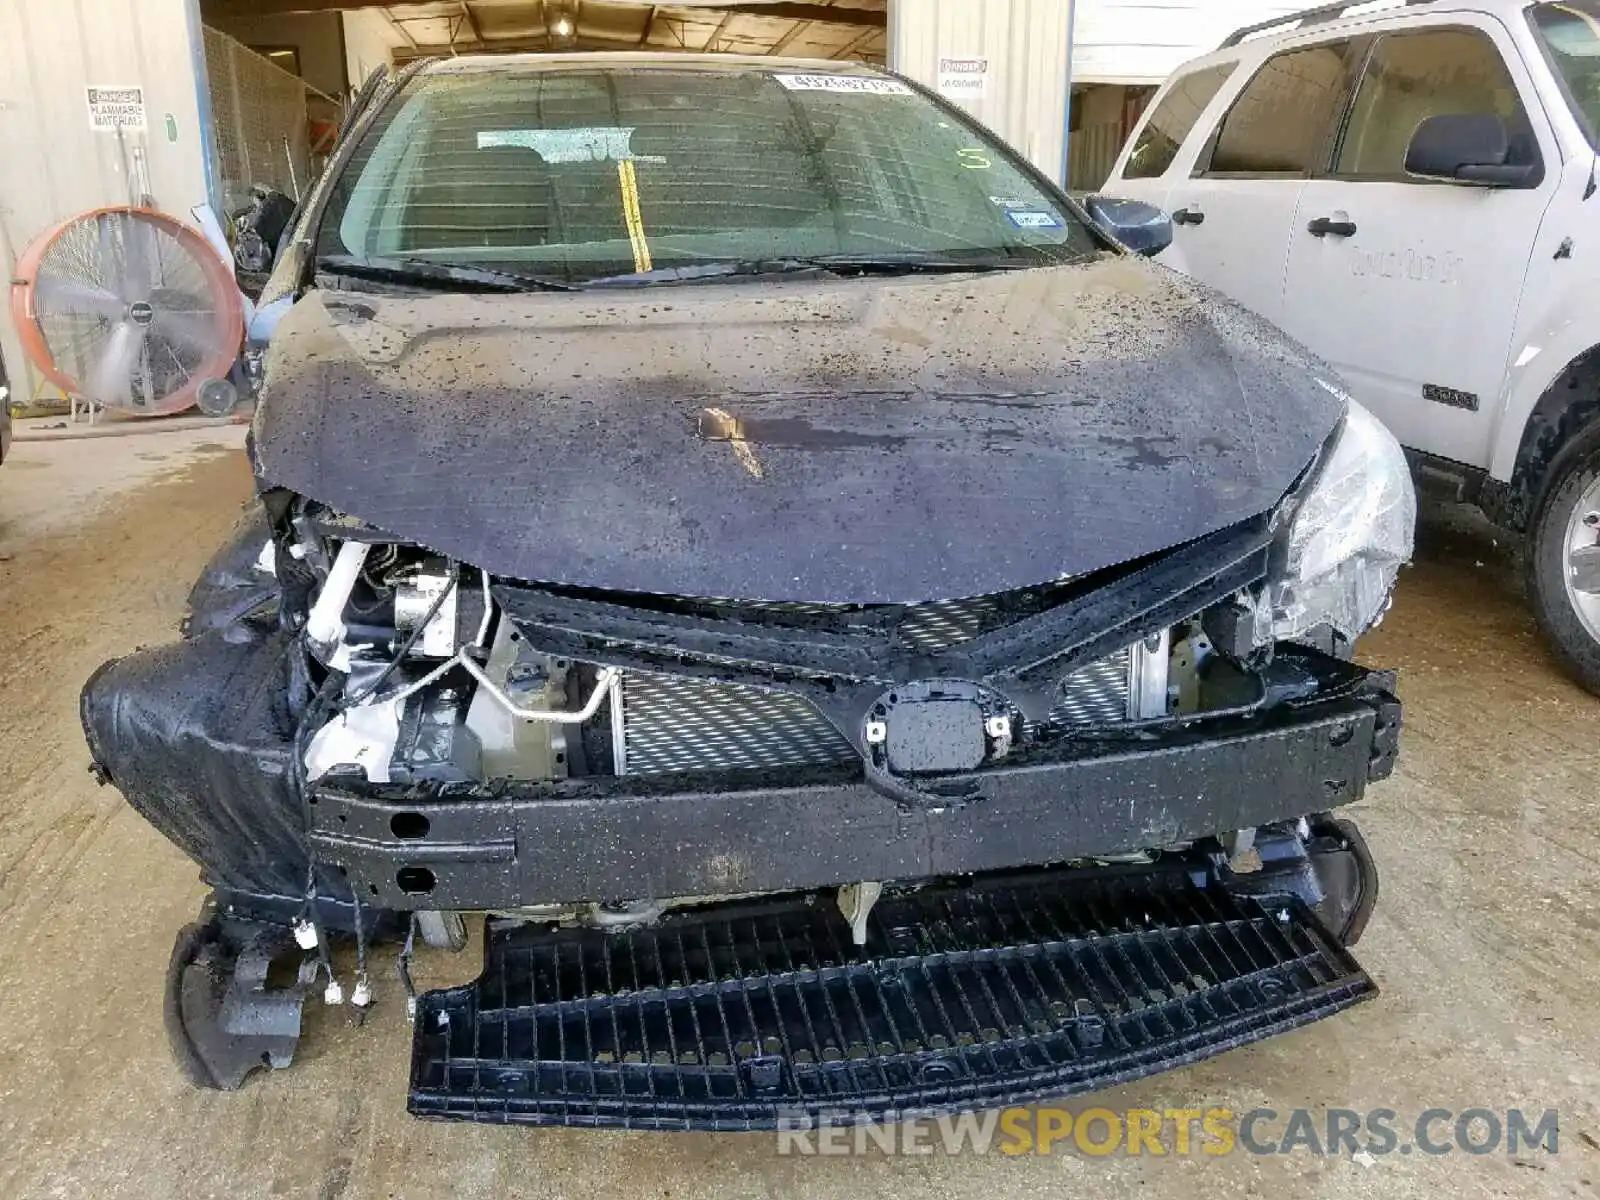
x=130 y=310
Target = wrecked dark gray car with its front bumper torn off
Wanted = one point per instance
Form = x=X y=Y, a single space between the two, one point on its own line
x=870 y=641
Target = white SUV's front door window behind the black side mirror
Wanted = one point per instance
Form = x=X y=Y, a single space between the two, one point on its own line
x=1412 y=78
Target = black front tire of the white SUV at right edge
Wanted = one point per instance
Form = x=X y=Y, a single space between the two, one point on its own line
x=1572 y=474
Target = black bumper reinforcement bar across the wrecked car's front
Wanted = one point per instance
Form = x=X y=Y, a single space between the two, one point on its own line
x=617 y=839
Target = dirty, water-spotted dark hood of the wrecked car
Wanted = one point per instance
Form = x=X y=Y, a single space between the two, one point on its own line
x=828 y=441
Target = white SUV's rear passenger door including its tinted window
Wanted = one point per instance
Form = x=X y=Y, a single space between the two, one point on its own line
x=1233 y=215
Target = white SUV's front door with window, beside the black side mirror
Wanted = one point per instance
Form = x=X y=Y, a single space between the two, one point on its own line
x=1410 y=287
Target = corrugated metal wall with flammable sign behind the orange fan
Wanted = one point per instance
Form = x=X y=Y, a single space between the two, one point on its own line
x=52 y=162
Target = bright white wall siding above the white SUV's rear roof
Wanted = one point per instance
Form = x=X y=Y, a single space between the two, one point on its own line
x=1142 y=41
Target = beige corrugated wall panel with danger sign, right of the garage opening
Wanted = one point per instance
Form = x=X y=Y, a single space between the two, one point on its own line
x=1028 y=49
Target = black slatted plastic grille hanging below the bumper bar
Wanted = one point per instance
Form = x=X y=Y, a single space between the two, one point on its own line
x=740 y=1017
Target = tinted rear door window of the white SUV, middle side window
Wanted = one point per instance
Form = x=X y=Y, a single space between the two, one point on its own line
x=1284 y=116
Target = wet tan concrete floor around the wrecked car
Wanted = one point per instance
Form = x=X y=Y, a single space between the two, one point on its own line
x=1486 y=943
